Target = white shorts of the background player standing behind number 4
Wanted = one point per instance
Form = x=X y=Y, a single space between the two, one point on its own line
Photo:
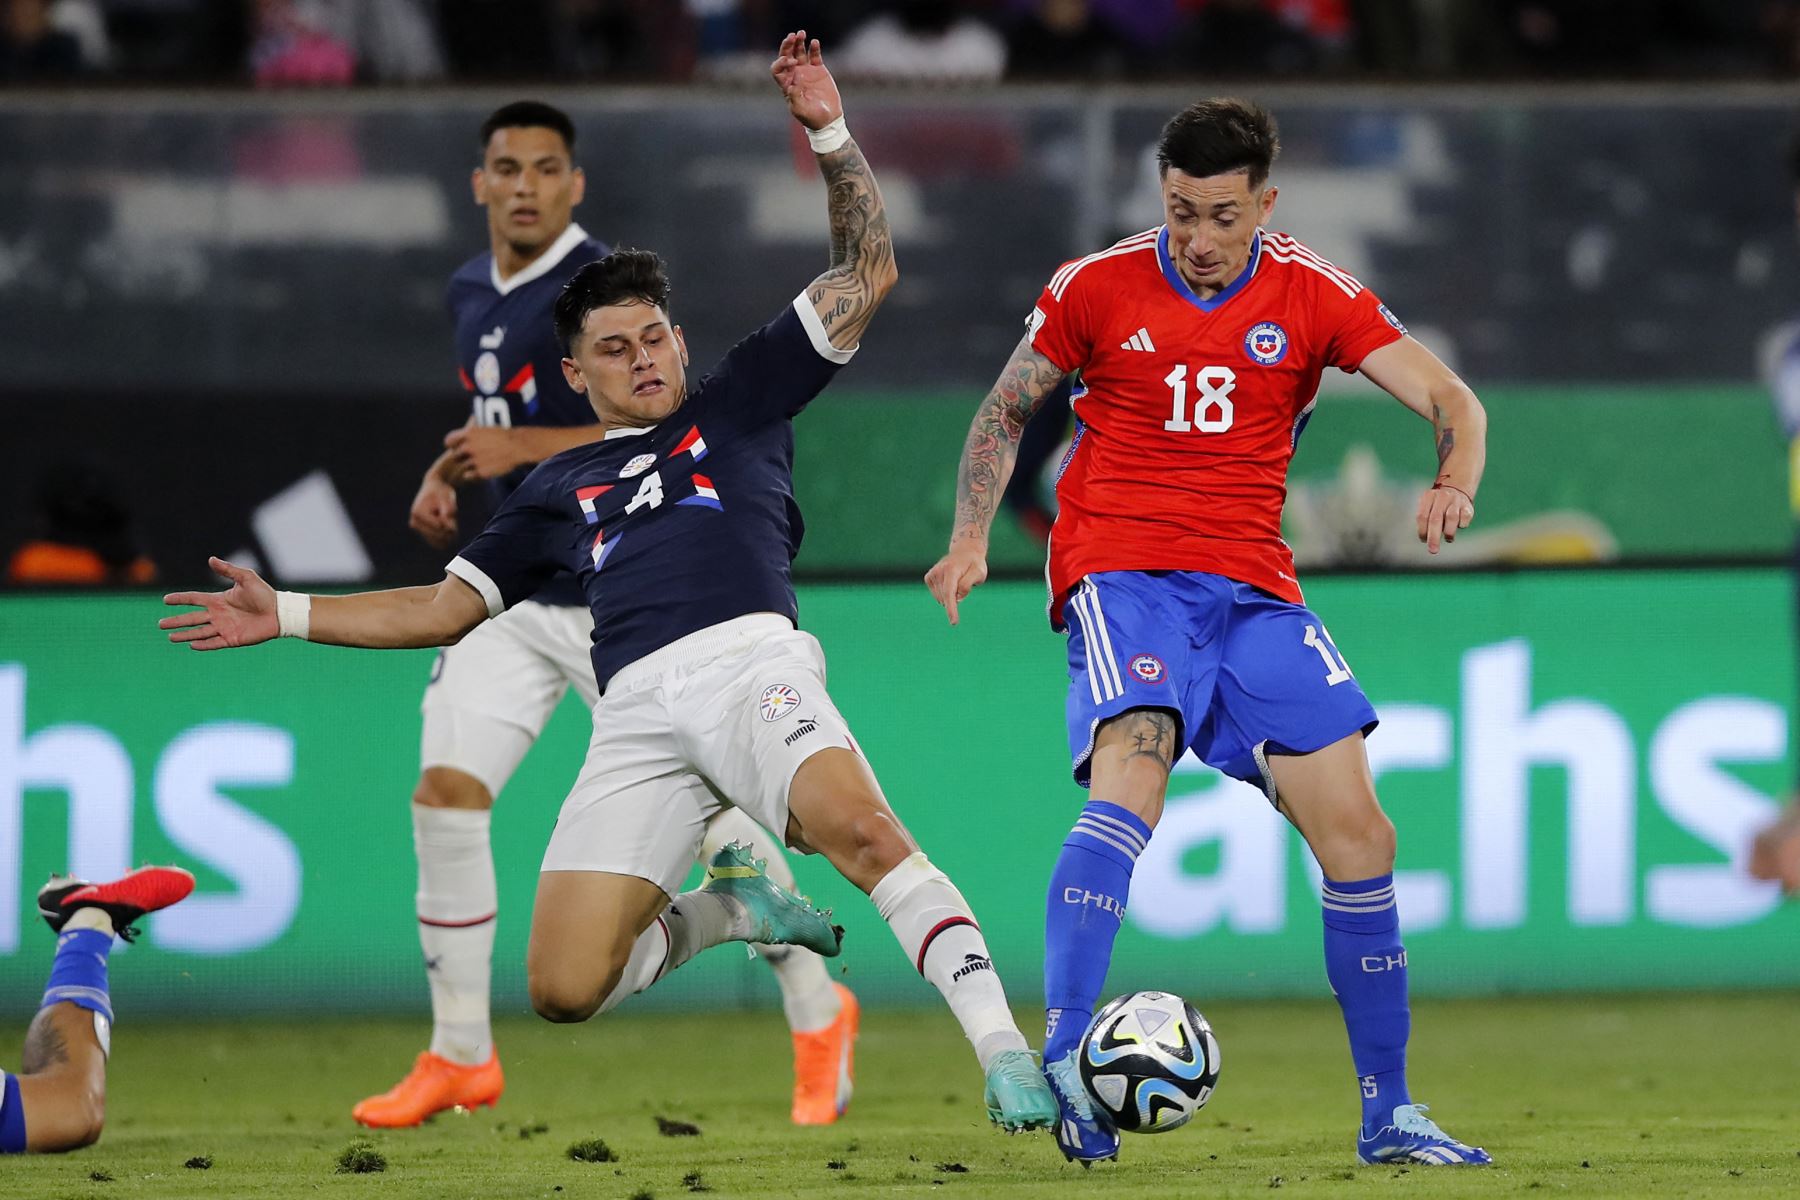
x=494 y=692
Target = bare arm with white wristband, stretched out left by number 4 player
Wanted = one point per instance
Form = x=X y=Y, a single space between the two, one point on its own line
x=253 y=613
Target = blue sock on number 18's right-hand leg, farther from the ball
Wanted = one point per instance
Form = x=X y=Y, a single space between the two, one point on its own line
x=1367 y=967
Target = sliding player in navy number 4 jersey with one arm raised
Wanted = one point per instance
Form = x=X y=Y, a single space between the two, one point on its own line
x=681 y=530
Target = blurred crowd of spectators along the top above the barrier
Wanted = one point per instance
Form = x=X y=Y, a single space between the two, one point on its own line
x=393 y=42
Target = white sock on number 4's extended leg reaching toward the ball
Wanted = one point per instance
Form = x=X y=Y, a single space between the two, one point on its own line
x=940 y=936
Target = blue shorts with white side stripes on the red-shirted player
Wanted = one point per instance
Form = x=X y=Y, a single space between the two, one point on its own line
x=1248 y=674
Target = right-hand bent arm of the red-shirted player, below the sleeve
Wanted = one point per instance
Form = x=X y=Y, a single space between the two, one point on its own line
x=1419 y=381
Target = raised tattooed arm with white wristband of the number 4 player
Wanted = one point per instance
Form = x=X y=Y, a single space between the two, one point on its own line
x=863 y=253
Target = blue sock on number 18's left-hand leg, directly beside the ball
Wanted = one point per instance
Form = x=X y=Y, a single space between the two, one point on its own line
x=1083 y=917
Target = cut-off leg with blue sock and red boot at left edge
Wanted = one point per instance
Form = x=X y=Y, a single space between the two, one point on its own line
x=58 y=1102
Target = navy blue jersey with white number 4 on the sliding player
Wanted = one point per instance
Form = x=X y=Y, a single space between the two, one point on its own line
x=679 y=526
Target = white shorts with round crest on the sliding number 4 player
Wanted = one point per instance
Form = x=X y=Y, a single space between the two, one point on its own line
x=721 y=717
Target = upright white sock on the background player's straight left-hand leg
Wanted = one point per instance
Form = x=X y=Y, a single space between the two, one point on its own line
x=456 y=908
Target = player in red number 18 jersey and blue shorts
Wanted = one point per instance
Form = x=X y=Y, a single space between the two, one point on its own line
x=1200 y=346
